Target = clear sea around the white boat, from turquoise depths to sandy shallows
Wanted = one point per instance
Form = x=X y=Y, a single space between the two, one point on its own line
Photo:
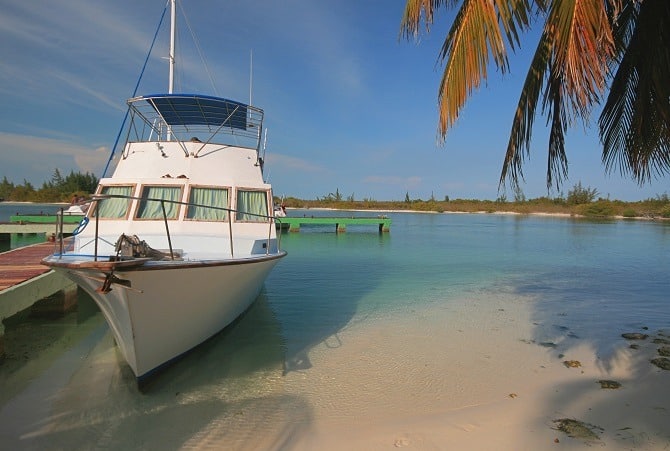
x=349 y=327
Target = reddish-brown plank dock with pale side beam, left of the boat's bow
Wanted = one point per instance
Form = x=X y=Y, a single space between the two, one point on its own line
x=25 y=281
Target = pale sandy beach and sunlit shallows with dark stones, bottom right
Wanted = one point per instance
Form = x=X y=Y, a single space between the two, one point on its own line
x=499 y=389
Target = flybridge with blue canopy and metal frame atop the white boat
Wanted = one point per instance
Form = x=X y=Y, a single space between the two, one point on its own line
x=182 y=117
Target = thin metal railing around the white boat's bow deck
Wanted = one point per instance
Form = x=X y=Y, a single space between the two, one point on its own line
x=230 y=212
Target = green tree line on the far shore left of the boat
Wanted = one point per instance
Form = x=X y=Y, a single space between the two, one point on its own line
x=59 y=189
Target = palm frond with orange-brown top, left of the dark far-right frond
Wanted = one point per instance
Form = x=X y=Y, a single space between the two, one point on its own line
x=572 y=59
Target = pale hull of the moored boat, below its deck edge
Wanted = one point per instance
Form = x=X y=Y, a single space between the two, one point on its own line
x=158 y=312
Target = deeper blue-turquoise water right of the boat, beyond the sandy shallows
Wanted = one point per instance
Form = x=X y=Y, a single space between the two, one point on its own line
x=597 y=276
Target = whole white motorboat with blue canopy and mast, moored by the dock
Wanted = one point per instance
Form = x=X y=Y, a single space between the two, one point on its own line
x=178 y=242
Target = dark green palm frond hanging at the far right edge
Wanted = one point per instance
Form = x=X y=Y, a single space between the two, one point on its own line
x=635 y=122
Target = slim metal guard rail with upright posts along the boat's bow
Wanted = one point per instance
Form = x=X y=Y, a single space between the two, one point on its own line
x=96 y=198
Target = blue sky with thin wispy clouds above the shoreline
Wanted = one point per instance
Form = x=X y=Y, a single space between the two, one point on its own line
x=350 y=106
